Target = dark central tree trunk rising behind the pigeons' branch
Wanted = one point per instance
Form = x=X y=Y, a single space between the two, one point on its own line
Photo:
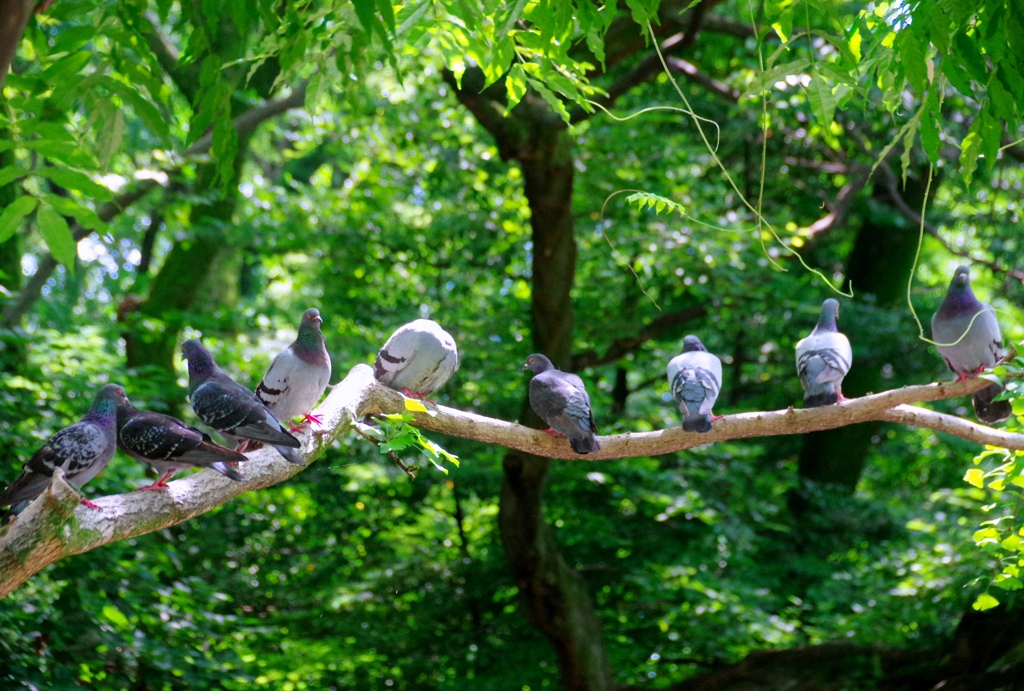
x=556 y=597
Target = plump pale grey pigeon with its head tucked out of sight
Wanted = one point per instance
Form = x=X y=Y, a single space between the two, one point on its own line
x=418 y=359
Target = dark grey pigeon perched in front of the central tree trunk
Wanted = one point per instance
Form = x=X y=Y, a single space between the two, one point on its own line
x=562 y=401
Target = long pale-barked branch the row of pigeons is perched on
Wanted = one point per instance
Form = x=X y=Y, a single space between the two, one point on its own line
x=44 y=534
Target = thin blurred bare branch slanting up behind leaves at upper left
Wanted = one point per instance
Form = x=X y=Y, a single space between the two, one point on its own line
x=245 y=124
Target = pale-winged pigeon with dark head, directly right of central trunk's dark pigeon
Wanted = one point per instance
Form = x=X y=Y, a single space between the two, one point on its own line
x=696 y=377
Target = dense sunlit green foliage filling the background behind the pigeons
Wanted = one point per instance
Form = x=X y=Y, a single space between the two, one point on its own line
x=413 y=169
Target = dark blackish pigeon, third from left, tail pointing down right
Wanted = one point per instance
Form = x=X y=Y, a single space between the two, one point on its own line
x=232 y=409
